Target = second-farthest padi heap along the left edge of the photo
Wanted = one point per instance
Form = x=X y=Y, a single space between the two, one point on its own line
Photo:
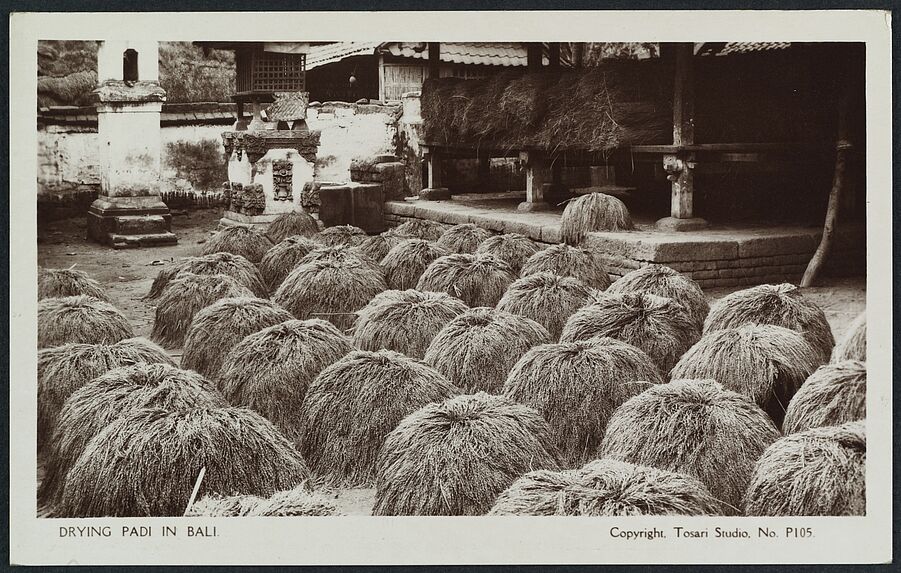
x=80 y=319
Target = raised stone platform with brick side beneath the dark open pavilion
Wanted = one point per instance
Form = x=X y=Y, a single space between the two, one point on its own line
x=714 y=257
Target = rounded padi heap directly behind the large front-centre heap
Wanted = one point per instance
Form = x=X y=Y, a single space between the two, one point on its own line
x=478 y=348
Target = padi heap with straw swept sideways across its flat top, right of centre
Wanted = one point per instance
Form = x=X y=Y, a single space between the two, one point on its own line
x=659 y=326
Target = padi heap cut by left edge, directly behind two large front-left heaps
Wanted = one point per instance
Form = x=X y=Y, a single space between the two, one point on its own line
x=64 y=369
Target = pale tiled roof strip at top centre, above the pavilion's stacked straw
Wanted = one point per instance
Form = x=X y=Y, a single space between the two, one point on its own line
x=482 y=53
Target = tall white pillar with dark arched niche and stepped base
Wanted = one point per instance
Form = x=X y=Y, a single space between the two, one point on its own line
x=129 y=211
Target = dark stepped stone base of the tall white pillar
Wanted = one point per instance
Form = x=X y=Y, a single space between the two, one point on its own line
x=128 y=222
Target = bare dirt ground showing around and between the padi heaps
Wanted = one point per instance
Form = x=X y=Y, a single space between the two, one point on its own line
x=128 y=274
